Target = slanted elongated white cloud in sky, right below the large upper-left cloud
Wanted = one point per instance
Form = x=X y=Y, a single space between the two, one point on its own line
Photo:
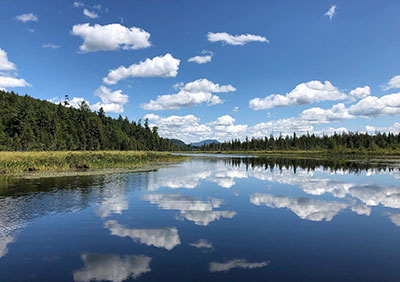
x=161 y=66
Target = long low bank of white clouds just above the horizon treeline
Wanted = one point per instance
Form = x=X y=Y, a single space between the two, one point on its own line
x=224 y=127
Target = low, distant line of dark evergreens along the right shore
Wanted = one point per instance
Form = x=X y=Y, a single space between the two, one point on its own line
x=336 y=142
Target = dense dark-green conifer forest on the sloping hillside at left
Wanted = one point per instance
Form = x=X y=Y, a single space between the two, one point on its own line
x=28 y=124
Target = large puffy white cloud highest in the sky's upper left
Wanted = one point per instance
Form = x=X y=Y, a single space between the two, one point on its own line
x=110 y=37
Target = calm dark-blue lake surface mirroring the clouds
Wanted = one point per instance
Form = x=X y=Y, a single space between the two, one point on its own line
x=206 y=219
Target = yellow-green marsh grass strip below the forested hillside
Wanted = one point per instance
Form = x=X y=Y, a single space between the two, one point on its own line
x=20 y=163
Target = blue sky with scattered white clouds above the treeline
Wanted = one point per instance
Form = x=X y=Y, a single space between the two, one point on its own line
x=267 y=66
